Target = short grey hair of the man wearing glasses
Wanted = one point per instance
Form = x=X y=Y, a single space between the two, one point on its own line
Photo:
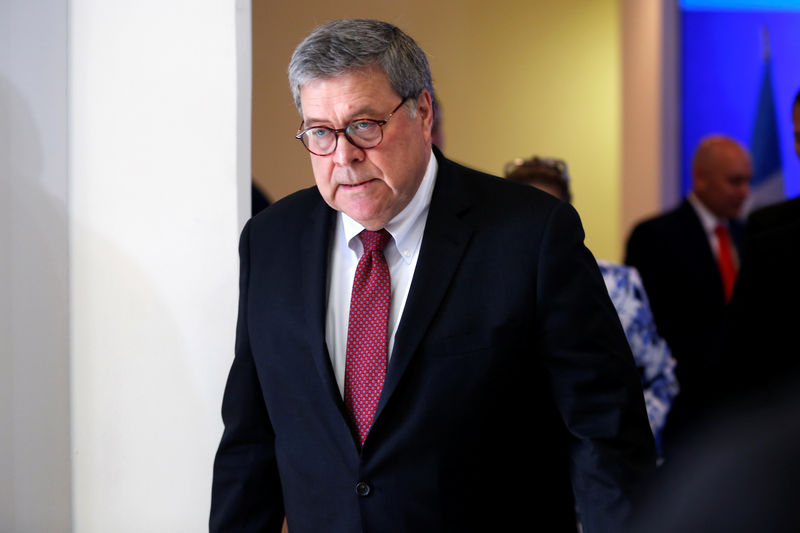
x=350 y=44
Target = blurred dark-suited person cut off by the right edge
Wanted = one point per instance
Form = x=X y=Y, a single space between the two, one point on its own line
x=741 y=473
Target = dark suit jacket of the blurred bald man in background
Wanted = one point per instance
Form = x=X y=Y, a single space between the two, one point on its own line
x=682 y=280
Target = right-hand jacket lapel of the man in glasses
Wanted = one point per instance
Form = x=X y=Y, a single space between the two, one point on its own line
x=443 y=244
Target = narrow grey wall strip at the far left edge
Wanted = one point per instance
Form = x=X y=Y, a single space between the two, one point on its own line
x=34 y=353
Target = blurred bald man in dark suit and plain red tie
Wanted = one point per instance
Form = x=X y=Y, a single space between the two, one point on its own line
x=688 y=258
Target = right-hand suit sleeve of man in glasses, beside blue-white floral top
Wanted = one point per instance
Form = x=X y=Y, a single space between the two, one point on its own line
x=595 y=382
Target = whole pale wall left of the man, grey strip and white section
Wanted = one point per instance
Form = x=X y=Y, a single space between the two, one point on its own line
x=124 y=181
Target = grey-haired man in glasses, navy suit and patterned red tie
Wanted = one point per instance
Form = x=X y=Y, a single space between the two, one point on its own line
x=496 y=392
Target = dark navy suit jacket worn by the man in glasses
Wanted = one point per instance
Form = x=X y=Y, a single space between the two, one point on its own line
x=510 y=379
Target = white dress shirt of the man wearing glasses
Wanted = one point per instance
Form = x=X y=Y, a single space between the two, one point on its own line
x=401 y=255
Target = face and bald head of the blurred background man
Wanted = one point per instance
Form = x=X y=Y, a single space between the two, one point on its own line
x=724 y=183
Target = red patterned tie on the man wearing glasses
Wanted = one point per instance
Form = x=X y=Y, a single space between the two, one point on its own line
x=367 y=330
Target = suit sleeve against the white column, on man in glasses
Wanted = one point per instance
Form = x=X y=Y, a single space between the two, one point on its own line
x=246 y=494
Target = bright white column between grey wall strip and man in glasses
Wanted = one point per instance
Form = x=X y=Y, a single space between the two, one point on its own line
x=157 y=133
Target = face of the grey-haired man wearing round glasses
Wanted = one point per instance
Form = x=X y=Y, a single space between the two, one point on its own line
x=370 y=185
